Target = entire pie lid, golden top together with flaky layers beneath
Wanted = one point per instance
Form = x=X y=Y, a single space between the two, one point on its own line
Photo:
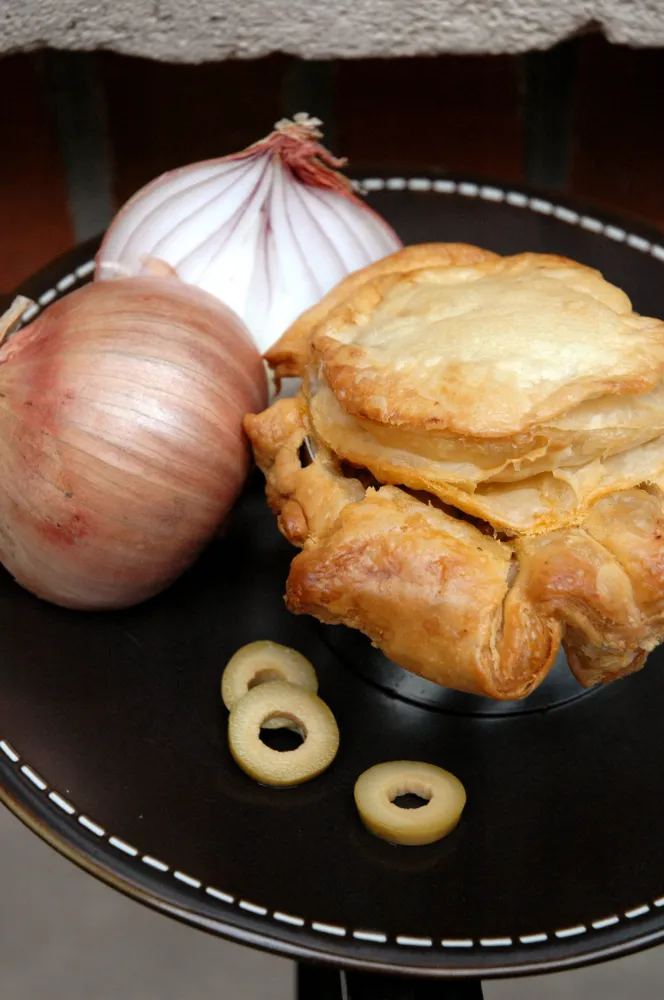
x=518 y=389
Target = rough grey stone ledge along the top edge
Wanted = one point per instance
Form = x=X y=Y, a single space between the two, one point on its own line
x=203 y=30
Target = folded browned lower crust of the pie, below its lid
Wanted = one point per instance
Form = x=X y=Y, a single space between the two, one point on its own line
x=449 y=602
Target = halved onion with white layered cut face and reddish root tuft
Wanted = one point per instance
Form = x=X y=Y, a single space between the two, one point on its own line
x=269 y=231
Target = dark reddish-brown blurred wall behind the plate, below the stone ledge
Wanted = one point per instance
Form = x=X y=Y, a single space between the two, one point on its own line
x=82 y=131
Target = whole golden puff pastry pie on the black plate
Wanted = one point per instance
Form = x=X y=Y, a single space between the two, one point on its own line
x=487 y=462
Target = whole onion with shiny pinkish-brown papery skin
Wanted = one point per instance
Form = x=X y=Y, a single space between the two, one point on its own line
x=121 y=446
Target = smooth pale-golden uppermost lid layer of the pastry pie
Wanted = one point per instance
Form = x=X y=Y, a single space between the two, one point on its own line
x=454 y=338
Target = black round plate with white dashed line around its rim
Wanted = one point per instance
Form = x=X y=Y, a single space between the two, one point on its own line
x=113 y=744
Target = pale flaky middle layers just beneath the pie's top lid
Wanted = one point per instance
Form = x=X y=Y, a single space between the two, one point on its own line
x=525 y=484
